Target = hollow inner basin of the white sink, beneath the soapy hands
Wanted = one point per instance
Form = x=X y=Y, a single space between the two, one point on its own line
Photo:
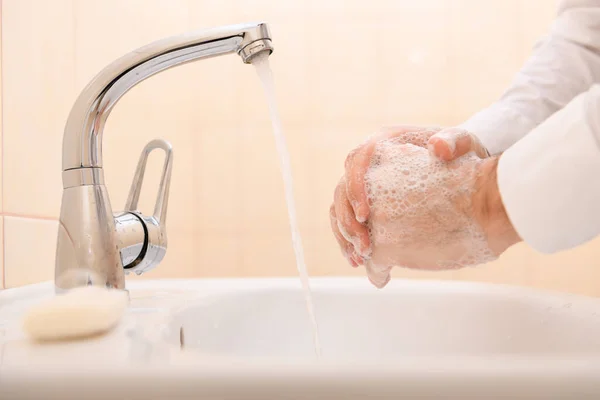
x=407 y=318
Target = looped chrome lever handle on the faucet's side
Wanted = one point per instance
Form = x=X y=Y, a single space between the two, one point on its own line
x=162 y=199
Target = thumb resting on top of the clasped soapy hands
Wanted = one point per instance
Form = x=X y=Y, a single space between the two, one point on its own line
x=452 y=143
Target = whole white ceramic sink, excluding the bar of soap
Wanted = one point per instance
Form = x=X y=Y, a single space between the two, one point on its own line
x=251 y=338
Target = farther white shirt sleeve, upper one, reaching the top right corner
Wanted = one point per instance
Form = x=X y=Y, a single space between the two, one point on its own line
x=563 y=65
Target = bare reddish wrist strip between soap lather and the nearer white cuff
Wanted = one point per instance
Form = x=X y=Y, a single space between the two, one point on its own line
x=489 y=208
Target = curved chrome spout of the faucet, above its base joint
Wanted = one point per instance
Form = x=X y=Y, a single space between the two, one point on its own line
x=82 y=143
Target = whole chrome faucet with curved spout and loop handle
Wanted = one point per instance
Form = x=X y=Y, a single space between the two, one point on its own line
x=95 y=246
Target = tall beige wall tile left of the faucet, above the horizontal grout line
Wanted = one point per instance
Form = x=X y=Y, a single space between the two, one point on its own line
x=38 y=92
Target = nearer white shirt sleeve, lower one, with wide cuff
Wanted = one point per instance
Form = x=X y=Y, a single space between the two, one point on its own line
x=549 y=181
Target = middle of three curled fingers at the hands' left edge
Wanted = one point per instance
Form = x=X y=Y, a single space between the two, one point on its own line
x=353 y=231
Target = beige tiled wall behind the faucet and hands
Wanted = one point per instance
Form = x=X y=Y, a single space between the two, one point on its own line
x=342 y=68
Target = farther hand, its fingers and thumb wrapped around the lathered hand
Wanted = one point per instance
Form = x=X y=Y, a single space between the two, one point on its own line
x=350 y=210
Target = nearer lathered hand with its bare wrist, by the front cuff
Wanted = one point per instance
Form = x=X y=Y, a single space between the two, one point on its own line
x=430 y=214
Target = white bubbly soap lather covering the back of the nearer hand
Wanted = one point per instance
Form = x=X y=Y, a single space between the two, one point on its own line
x=419 y=203
